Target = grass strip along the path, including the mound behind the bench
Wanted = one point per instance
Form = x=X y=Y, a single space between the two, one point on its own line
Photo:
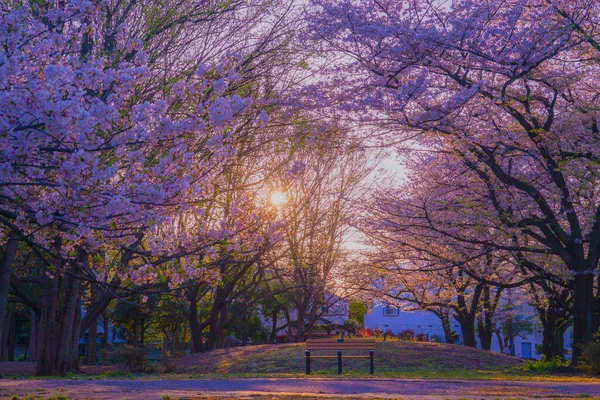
x=393 y=359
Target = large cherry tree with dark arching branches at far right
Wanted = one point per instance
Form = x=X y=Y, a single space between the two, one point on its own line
x=507 y=86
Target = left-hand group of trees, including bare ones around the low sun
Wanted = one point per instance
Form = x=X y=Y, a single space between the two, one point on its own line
x=140 y=143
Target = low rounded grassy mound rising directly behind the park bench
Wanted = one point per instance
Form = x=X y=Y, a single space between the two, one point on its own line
x=397 y=358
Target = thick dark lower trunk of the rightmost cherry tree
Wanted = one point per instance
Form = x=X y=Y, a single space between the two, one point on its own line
x=583 y=310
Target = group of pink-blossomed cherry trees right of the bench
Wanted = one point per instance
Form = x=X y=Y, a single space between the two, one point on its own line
x=498 y=102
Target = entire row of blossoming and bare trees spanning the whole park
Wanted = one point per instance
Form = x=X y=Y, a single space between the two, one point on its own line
x=140 y=143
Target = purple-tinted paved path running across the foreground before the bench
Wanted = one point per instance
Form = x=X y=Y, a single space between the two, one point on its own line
x=236 y=388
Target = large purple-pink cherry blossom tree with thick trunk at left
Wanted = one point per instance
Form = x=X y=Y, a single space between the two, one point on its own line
x=102 y=153
